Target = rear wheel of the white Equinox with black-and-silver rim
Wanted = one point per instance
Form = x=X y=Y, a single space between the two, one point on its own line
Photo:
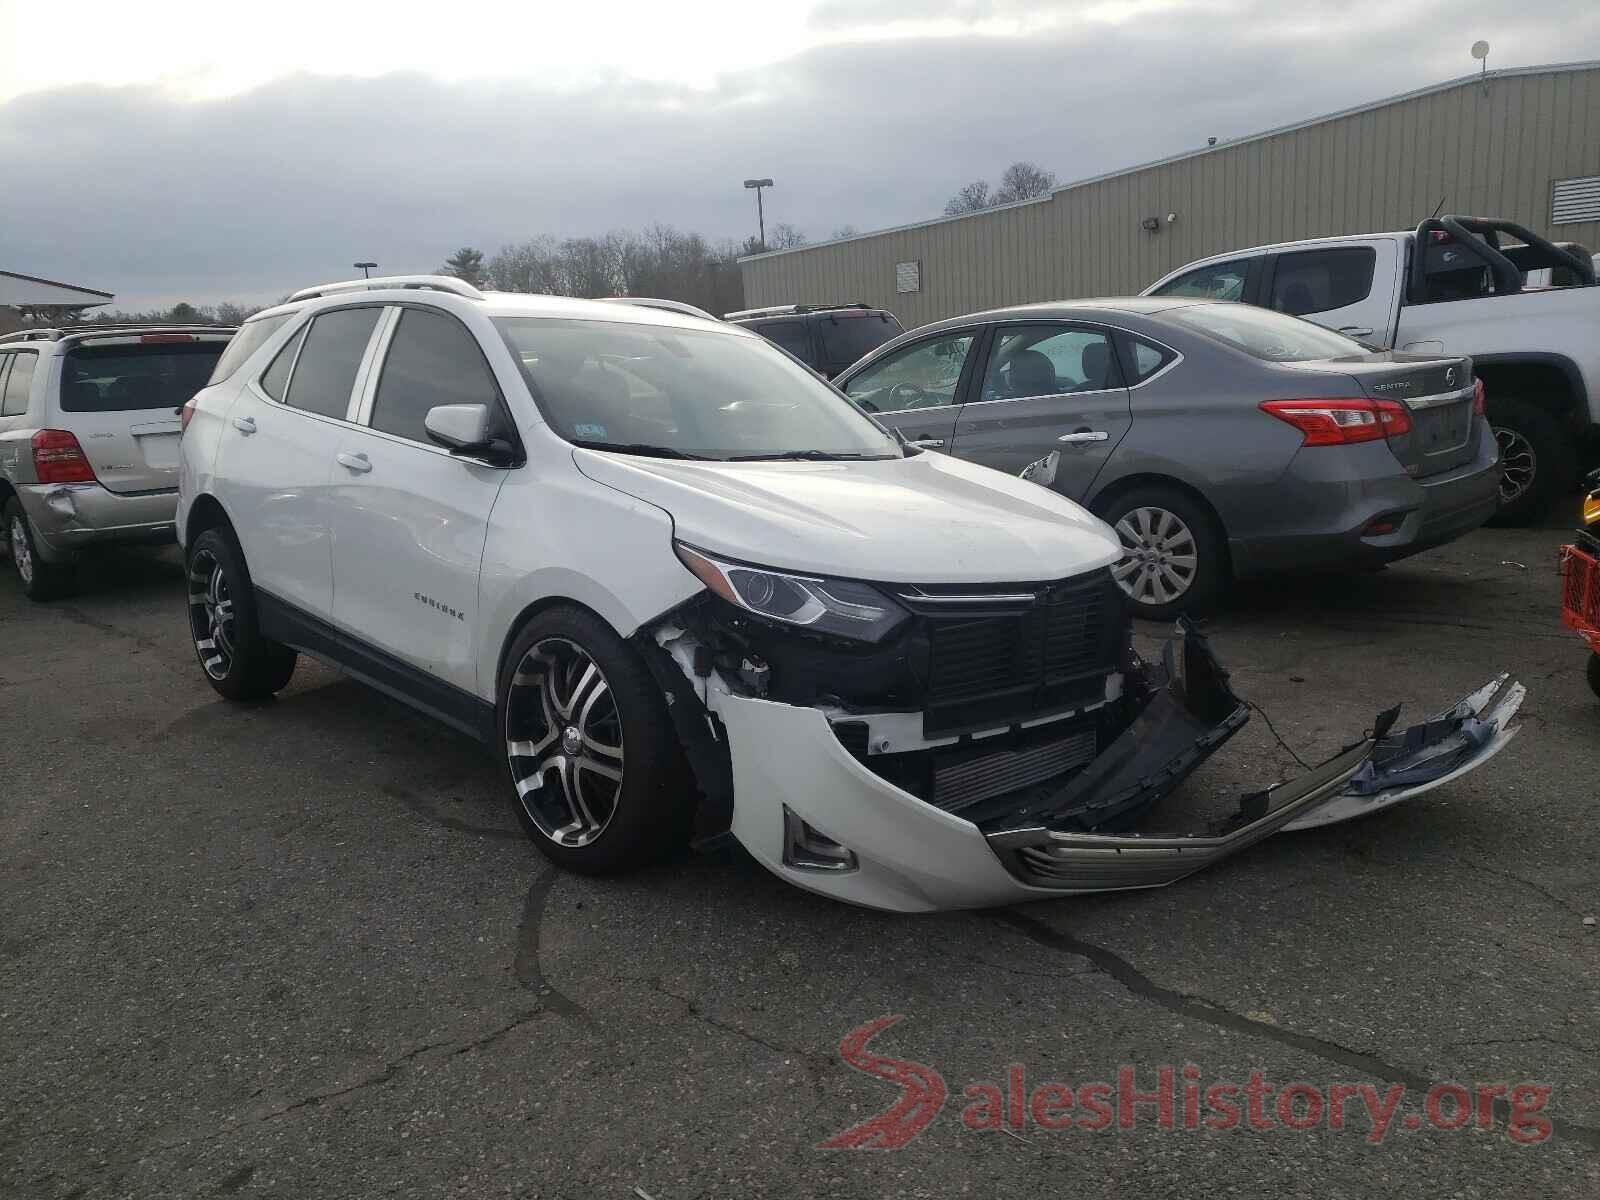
x=223 y=623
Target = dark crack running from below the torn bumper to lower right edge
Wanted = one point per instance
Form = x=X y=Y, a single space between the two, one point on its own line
x=1194 y=1009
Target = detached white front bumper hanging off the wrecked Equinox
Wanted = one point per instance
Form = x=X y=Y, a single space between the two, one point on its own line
x=895 y=850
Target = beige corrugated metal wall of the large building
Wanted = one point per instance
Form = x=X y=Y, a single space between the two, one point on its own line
x=1492 y=153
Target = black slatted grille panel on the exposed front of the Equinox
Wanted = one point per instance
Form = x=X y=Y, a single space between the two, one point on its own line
x=1009 y=662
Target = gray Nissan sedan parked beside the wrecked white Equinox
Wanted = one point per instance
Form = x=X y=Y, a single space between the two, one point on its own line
x=1218 y=439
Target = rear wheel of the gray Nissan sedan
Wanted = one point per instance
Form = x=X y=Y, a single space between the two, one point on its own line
x=1175 y=554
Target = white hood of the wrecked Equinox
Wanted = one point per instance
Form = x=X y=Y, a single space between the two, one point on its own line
x=922 y=519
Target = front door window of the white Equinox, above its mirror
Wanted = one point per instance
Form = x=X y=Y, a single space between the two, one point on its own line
x=433 y=361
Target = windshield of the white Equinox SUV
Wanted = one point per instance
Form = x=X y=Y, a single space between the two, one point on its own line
x=649 y=390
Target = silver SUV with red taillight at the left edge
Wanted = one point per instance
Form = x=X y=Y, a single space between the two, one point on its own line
x=90 y=420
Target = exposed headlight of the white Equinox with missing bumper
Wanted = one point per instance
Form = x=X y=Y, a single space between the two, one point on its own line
x=838 y=607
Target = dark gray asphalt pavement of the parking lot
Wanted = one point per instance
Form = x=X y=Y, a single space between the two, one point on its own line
x=303 y=950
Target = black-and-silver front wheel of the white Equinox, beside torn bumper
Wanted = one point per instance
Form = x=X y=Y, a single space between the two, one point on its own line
x=601 y=780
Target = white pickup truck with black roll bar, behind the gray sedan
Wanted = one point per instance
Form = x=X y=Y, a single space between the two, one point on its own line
x=1524 y=308
